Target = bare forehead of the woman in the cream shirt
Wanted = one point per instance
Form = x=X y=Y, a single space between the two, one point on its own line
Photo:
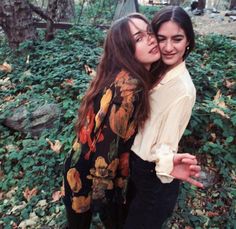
x=170 y=28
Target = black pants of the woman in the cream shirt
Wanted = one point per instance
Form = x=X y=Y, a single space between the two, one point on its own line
x=153 y=201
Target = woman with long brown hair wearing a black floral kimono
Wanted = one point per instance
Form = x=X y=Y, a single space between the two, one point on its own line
x=115 y=105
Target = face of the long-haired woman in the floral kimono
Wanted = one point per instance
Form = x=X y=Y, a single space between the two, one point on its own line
x=146 y=46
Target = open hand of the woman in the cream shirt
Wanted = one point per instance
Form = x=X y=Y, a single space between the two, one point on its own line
x=186 y=168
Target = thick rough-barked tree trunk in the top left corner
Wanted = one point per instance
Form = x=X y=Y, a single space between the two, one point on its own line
x=16 y=21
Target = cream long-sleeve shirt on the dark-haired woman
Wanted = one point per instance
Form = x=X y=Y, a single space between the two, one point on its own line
x=171 y=103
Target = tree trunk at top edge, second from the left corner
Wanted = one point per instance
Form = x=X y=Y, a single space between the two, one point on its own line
x=61 y=10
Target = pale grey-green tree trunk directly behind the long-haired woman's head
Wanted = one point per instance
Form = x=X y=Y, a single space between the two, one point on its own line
x=125 y=7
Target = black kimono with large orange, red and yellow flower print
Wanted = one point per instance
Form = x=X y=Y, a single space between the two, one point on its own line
x=97 y=168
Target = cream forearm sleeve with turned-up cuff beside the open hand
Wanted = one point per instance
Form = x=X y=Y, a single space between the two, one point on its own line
x=164 y=163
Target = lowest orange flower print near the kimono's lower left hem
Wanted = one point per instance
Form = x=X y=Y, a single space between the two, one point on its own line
x=81 y=204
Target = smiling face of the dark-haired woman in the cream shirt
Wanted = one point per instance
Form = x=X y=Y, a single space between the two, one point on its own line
x=172 y=42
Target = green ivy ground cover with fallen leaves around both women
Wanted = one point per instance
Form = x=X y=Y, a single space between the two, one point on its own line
x=54 y=72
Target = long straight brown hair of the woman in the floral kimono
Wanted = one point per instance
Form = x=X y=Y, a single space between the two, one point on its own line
x=119 y=50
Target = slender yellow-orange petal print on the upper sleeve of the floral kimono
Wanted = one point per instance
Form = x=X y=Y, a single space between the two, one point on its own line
x=104 y=105
